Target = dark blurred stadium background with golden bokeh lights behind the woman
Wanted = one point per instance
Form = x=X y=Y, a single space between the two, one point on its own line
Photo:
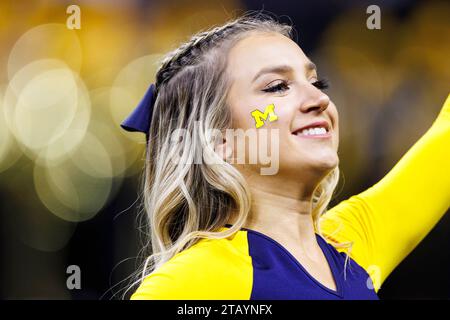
x=69 y=175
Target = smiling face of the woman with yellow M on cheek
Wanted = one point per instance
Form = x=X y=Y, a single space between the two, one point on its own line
x=296 y=95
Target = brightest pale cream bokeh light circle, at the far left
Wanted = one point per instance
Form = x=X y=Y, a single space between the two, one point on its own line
x=47 y=108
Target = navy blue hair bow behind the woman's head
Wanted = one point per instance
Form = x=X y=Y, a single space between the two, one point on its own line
x=141 y=117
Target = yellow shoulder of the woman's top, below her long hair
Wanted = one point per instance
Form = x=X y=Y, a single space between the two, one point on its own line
x=211 y=269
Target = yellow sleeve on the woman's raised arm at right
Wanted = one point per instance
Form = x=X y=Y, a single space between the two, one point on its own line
x=387 y=221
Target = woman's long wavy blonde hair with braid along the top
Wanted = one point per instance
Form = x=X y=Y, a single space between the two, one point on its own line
x=184 y=202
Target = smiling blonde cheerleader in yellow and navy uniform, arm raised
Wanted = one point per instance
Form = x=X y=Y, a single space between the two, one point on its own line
x=226 y=231
